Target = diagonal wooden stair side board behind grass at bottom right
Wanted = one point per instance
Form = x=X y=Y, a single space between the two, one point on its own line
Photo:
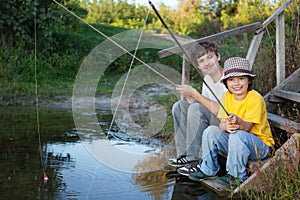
x=286 y=159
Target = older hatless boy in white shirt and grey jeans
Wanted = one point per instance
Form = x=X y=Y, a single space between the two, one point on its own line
x=197 y=111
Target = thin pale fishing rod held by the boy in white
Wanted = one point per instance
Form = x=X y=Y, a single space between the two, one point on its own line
x=115 y=43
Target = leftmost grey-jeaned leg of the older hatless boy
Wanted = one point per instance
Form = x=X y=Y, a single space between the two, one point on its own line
x=179 y=112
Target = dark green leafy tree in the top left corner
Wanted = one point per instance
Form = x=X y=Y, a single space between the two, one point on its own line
x=17 y=21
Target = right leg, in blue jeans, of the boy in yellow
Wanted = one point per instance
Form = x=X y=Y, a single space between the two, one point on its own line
x=242 y=147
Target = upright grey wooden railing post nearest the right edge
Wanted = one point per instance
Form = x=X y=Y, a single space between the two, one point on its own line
x=280 y=48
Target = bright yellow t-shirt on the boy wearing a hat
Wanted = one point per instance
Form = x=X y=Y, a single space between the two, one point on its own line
x=251 y=109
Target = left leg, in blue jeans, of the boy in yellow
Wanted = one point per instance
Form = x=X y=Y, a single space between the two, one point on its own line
x=213 y=140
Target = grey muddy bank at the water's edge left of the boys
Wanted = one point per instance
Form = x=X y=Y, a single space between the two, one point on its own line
x=138 y=114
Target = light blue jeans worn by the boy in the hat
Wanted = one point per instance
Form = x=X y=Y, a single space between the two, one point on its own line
x=240 y=147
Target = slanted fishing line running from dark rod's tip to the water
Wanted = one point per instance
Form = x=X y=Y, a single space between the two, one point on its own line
x=129 y=70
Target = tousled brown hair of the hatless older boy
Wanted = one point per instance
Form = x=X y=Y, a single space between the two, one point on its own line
x=203 y=48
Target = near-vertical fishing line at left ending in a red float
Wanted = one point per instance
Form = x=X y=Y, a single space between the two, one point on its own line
x=36 y=96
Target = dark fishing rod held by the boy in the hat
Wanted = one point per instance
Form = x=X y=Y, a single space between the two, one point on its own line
x=187 y=56
